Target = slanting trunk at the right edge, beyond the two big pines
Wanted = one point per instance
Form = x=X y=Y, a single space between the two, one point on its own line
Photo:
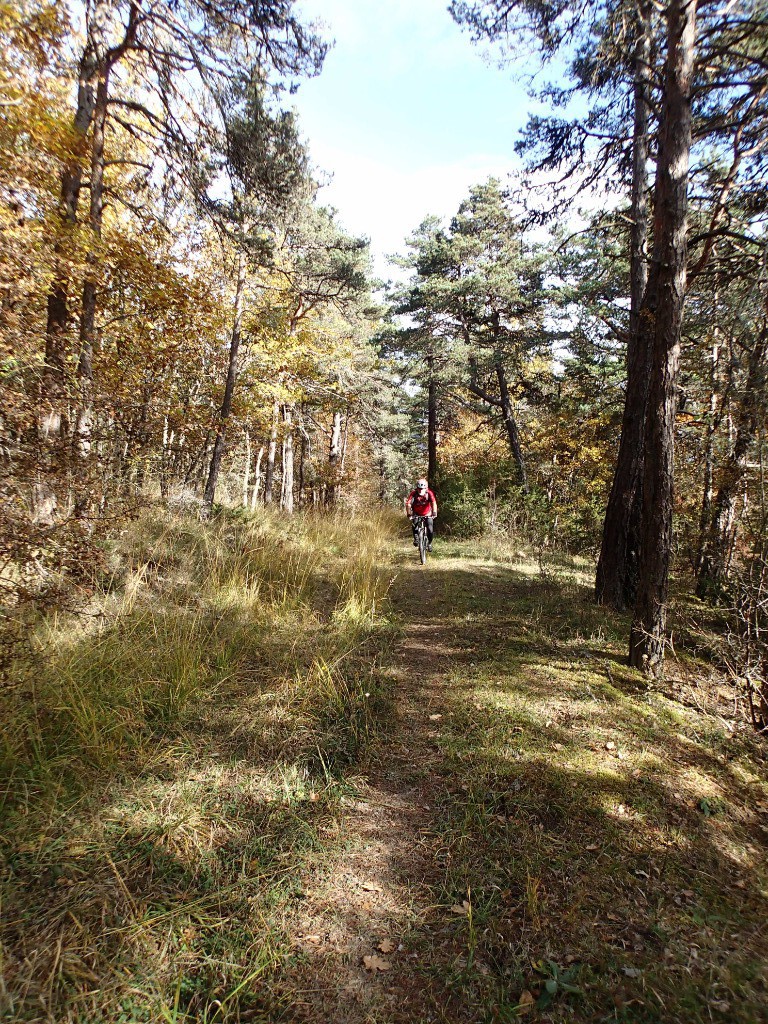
x=717 y=548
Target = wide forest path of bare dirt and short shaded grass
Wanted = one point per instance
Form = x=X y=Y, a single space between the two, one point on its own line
x=536 y=825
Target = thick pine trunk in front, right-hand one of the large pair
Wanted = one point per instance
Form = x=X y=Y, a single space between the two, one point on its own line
x=661 y=320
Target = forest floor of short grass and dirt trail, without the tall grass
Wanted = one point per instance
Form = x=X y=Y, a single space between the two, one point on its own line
x=479 y=815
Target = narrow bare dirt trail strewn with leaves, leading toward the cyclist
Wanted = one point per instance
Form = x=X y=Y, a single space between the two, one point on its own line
x=381 y=889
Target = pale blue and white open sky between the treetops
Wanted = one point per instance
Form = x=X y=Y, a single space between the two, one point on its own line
x=406 y=115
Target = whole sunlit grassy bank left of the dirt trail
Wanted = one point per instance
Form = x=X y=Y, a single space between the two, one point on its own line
x=175 y=759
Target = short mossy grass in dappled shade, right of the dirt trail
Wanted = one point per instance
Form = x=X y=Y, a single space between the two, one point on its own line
x=607 y=832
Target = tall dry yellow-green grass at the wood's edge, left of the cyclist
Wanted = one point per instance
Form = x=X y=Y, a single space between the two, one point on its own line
x=189 y=607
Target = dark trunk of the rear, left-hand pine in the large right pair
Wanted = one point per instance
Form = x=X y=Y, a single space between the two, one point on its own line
x=616 y=580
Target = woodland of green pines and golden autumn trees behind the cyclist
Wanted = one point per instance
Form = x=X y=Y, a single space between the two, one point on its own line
x=181 y=316
